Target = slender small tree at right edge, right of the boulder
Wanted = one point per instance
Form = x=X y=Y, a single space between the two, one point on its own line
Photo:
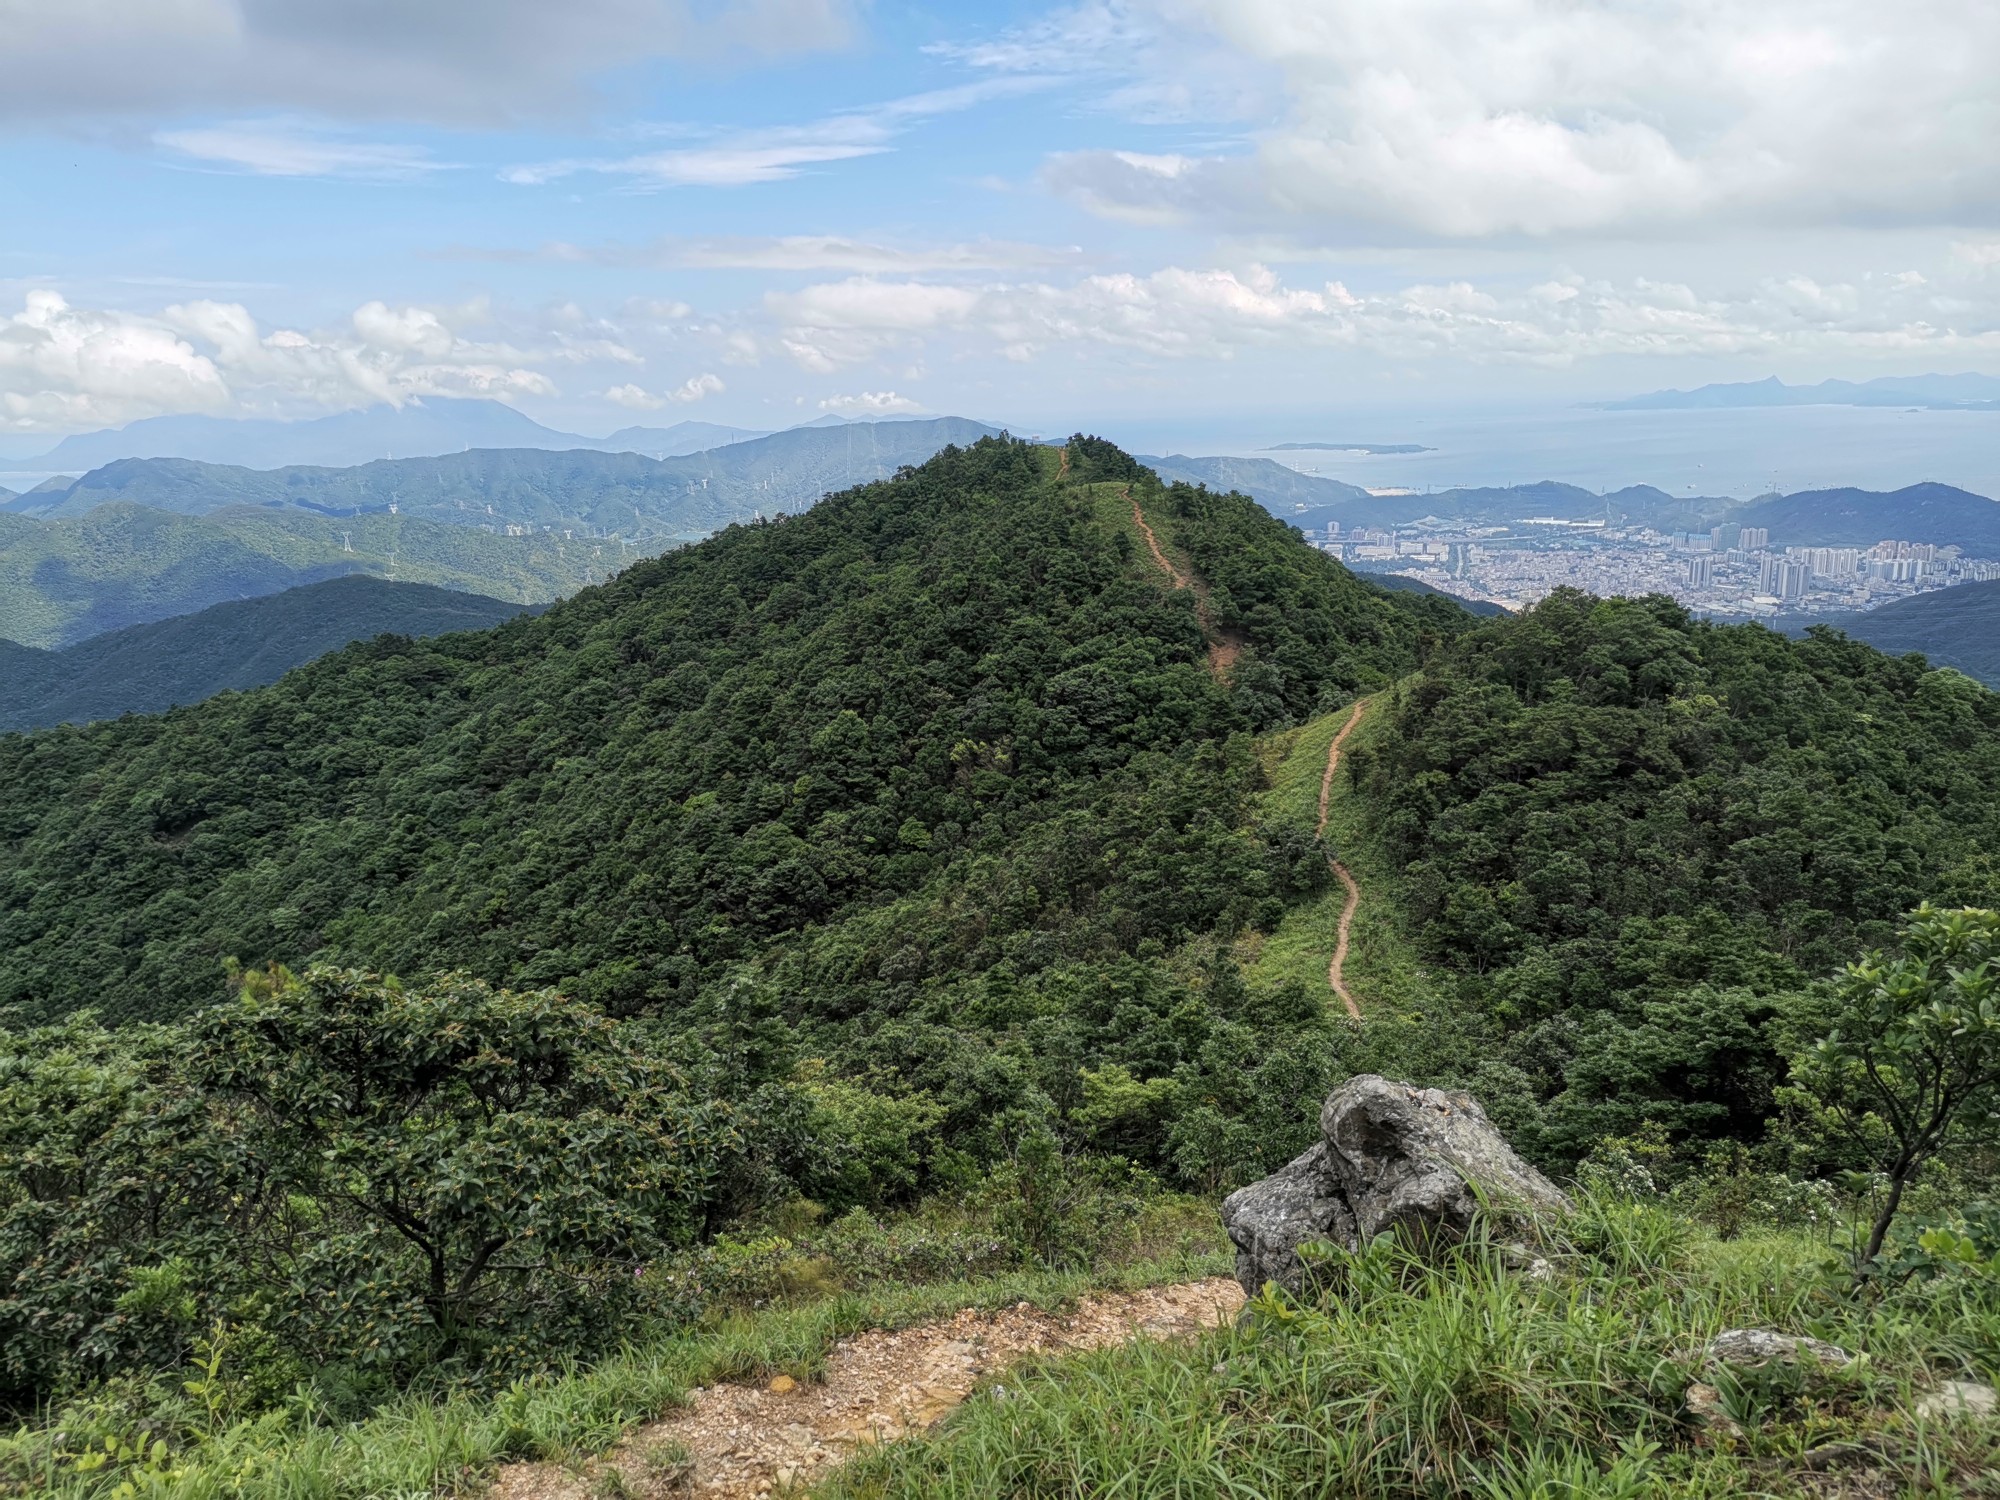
x=1915 y=1053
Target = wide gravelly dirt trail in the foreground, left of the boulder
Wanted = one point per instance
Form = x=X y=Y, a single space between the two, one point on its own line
x=755 y=1441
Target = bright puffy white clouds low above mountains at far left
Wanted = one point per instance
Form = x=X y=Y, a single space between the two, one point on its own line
x=65 y=367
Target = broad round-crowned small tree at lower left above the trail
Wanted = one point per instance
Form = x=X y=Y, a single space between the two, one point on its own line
x=503 y=1139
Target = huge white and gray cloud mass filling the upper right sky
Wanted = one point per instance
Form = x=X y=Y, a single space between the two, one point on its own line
x=1563 y=117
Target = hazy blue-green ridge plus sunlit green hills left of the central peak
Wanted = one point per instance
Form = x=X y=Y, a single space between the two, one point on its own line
x=149 y=539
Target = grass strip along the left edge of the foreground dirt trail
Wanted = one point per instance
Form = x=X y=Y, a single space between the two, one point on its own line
x=419 y=1447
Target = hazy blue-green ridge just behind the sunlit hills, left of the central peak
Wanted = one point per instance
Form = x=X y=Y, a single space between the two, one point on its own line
x=609 y=495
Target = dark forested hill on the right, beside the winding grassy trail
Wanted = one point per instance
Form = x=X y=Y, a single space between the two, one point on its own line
x=1623 y=831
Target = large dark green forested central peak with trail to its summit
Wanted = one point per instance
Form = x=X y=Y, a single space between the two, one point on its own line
x=959 y=681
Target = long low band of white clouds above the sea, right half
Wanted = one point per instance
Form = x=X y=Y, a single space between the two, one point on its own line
x=1181 y=315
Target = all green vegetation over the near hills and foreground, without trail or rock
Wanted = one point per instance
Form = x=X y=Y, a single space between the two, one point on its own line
x=459 y=1049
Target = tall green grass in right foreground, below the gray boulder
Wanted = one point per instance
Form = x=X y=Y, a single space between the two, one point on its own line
x=1477 y=1381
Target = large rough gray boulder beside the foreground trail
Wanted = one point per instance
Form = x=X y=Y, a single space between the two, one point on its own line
x=1417 y=1163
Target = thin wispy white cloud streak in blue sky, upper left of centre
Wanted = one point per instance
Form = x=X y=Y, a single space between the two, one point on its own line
x=781 y=153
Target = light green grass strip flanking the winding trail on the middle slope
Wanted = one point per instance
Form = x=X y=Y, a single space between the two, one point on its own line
x=1383 y=971
